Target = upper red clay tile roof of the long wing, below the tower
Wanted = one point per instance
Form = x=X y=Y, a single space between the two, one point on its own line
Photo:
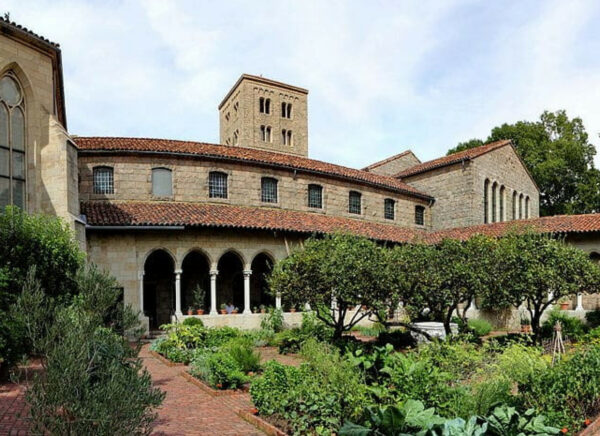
x=242 y=154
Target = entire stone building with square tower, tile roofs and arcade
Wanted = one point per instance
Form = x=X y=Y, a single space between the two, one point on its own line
x=185 y=224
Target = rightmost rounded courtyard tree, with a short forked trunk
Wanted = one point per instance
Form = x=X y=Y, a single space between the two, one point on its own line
x=536 y=271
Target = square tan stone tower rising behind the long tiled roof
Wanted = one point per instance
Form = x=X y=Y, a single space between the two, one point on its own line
x=240 y=116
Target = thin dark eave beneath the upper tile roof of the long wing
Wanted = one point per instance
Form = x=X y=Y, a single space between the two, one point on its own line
x=260 y=163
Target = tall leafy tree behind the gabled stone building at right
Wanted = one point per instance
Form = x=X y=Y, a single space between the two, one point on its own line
x=557 y=152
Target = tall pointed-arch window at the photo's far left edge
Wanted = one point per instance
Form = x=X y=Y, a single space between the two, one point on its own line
x=12 y=143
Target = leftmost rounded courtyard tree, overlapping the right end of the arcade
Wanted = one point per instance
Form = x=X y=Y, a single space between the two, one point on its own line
x=335 y=275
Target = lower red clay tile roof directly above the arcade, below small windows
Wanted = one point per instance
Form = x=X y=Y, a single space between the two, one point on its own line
x=225 y=216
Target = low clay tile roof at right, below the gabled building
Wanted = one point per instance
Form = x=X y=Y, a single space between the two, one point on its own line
x=558 y=224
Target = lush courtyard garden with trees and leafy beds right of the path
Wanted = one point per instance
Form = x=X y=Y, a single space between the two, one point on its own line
x=375 y=380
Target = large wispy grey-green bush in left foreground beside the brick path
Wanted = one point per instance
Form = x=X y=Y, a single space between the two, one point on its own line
x=108 y=390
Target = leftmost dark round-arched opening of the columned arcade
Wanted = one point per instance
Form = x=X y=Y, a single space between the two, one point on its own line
x=159 y=287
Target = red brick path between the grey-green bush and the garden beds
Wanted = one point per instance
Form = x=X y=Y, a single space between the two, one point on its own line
x=189 y=410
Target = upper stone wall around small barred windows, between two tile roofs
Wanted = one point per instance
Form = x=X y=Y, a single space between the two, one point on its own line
x=132 y=180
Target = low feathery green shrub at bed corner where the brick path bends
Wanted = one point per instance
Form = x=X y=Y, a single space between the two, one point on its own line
x=219 y=369
